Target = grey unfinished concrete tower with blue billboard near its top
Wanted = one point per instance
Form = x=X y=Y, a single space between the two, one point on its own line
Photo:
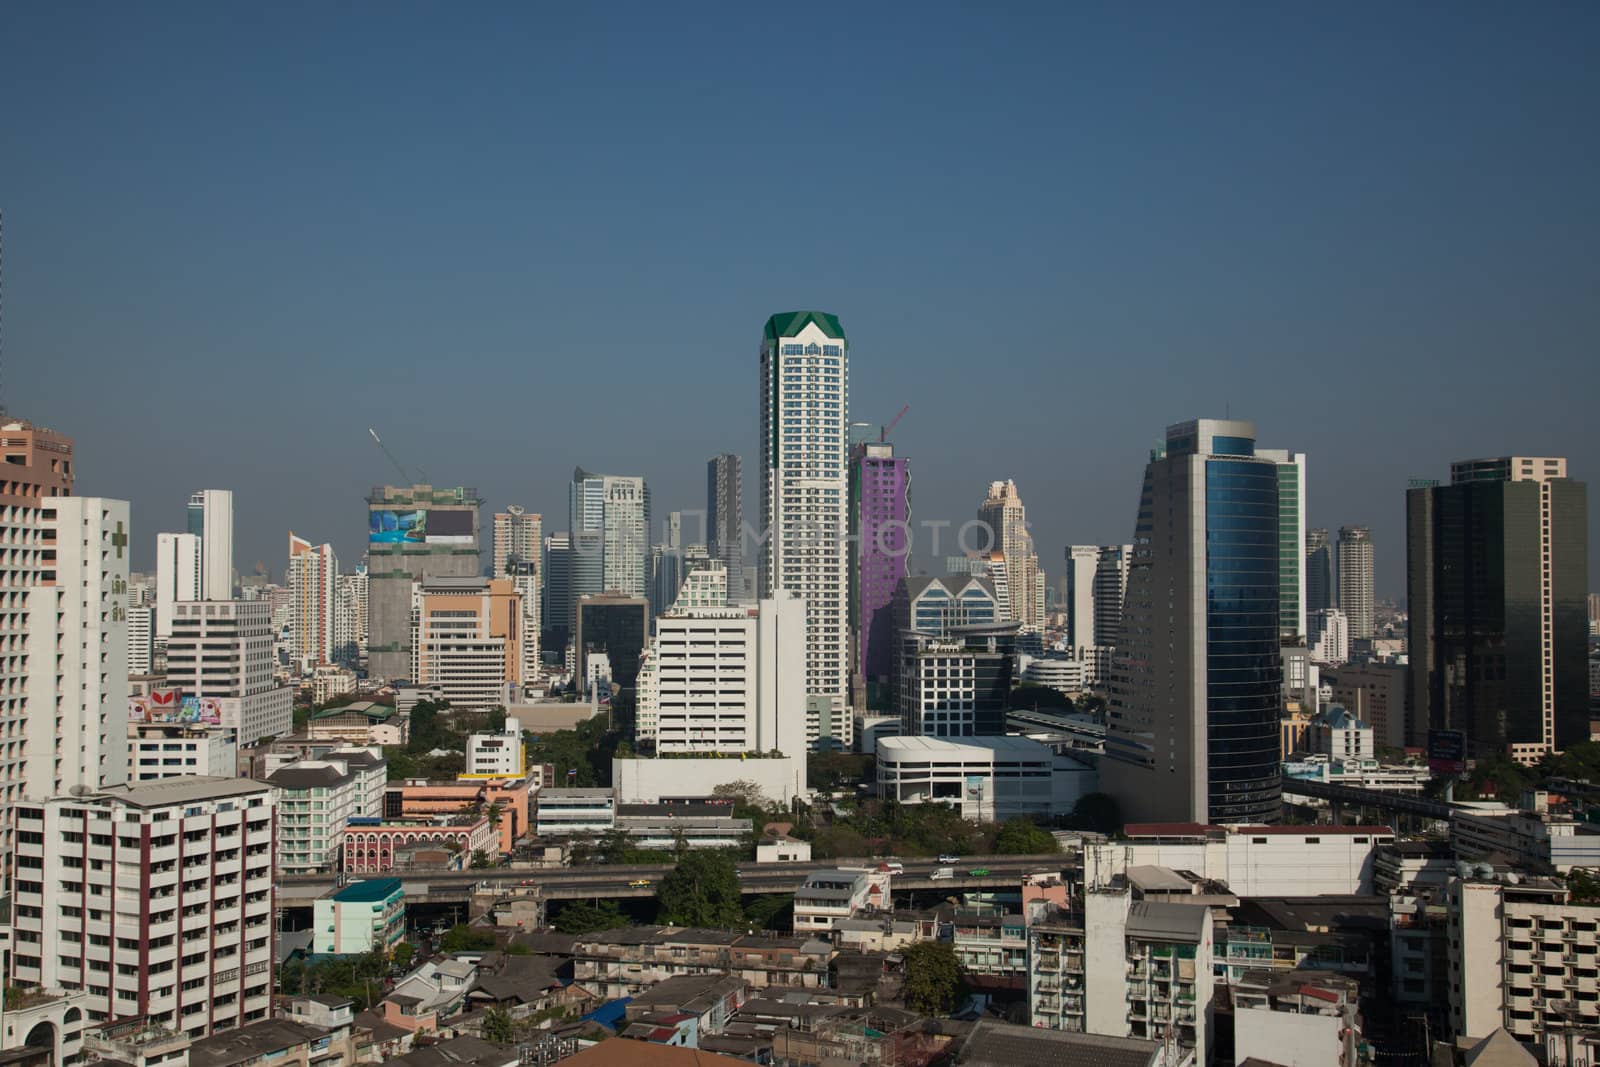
x=415 y=533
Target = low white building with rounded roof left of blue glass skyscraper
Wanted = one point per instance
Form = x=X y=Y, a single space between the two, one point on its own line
x=990 y=780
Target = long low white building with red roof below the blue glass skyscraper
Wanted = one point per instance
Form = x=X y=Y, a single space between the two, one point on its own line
x=1257 y=860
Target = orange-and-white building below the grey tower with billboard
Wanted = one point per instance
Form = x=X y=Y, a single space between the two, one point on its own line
x=466 y=639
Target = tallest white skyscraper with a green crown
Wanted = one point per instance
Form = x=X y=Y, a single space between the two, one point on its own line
x=806 y=508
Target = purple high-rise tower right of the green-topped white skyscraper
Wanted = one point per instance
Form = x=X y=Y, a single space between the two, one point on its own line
x=881 y=557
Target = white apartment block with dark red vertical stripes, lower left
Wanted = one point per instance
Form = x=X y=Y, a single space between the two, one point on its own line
x=156 y=900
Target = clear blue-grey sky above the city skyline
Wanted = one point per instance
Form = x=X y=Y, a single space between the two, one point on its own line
x=526 y=238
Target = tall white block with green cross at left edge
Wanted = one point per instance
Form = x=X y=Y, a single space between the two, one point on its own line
x=78 y=644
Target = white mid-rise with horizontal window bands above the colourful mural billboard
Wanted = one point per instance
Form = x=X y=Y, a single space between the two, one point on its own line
x=222 y=650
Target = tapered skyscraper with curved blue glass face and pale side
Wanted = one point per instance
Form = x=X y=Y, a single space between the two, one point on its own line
x=1194 y=713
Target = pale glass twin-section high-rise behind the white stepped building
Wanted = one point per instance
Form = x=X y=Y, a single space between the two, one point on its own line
x=609 y=524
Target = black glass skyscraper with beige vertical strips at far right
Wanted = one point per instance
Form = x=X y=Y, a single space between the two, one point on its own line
x=1497 y=581
